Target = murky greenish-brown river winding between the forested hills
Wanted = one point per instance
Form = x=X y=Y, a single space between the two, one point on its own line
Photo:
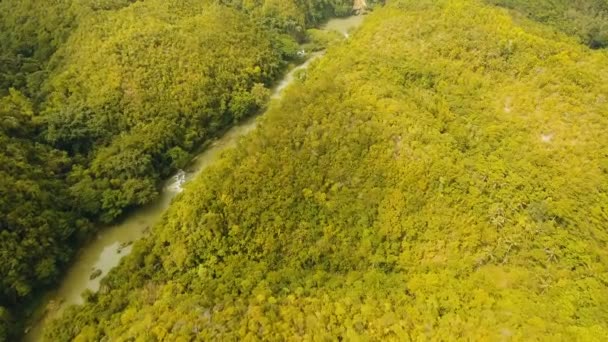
x=112 y=243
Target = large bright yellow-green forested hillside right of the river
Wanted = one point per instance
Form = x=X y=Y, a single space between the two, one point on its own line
x=441 y=176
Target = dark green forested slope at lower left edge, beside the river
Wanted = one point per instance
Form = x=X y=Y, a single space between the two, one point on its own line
x=37 y=221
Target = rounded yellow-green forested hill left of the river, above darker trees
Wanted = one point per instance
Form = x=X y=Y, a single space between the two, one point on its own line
x=137 y=88
